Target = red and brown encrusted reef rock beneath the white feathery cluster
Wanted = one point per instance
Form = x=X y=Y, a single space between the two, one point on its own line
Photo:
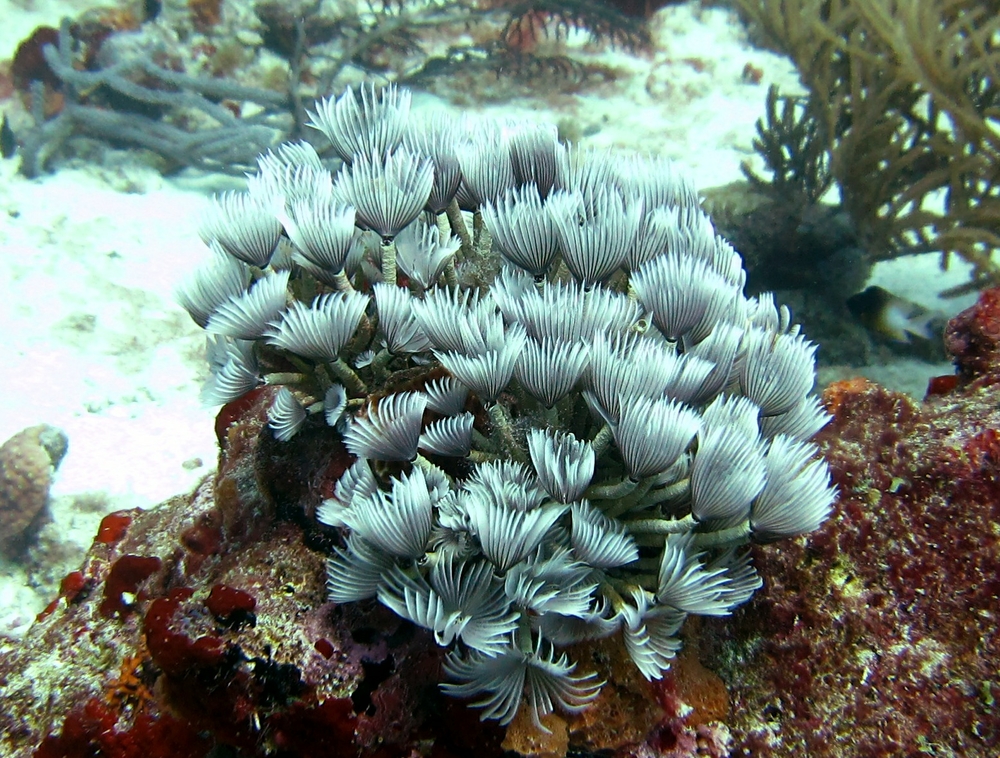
x=202 y=627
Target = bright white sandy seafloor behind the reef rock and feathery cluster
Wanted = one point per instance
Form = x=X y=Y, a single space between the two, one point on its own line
x=94 y=344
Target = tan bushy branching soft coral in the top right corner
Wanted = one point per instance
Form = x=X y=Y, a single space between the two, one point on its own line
x=905 y=95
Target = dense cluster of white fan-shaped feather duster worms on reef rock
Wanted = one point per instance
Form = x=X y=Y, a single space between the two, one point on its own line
x=566 y=418
